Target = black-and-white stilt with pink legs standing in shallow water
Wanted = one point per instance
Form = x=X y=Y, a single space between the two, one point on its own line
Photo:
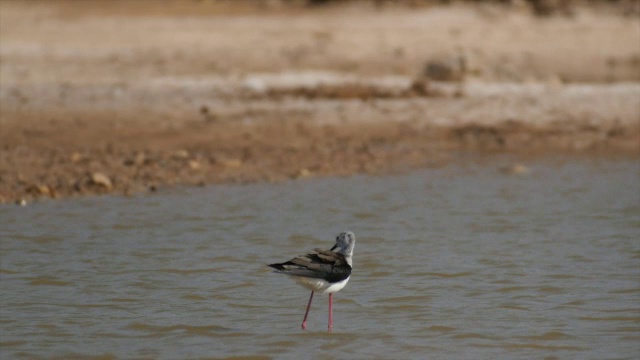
x=324 y=271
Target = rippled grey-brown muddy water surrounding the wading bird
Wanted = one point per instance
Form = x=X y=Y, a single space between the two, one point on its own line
x=461 y=262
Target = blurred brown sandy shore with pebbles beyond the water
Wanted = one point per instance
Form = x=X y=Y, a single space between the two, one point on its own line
x=116 y=97
